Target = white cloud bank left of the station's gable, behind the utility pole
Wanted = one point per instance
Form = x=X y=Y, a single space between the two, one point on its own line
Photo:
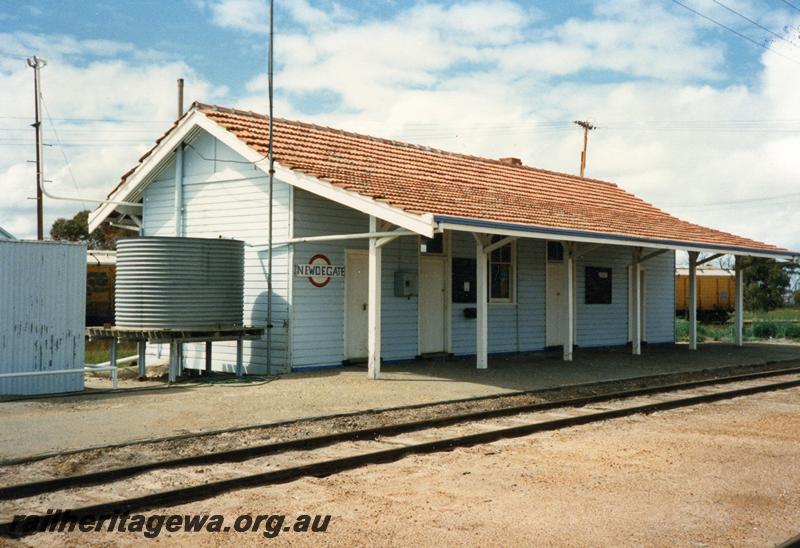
x=113 y=87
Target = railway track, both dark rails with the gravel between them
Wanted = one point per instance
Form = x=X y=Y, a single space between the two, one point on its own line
x=189 y=479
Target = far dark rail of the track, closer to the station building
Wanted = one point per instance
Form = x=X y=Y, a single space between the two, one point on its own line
x=13 y=492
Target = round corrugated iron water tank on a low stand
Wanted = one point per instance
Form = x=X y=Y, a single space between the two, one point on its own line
x=179 y=283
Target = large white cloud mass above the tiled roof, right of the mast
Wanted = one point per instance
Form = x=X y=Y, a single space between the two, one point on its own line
x=417 y=78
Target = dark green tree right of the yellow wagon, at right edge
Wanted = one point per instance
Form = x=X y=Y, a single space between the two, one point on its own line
x=765 y=282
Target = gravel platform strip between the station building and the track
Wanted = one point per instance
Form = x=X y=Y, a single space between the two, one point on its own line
x=53 y=424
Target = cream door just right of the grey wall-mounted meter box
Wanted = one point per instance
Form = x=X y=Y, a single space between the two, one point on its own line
x=432 y=304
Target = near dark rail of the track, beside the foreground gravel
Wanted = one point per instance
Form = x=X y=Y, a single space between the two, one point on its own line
x=184 y=495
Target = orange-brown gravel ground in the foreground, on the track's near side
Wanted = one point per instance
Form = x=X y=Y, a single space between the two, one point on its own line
x=722 y=474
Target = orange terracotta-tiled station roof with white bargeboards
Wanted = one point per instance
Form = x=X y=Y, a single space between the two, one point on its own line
x=449 y=190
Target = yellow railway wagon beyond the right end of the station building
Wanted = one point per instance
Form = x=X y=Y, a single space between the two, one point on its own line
x=716 y=292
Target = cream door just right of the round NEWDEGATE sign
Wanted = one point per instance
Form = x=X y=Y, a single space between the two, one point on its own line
x=356 y=299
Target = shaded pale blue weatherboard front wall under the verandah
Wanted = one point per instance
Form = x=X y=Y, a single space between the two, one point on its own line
x=318 y=313
